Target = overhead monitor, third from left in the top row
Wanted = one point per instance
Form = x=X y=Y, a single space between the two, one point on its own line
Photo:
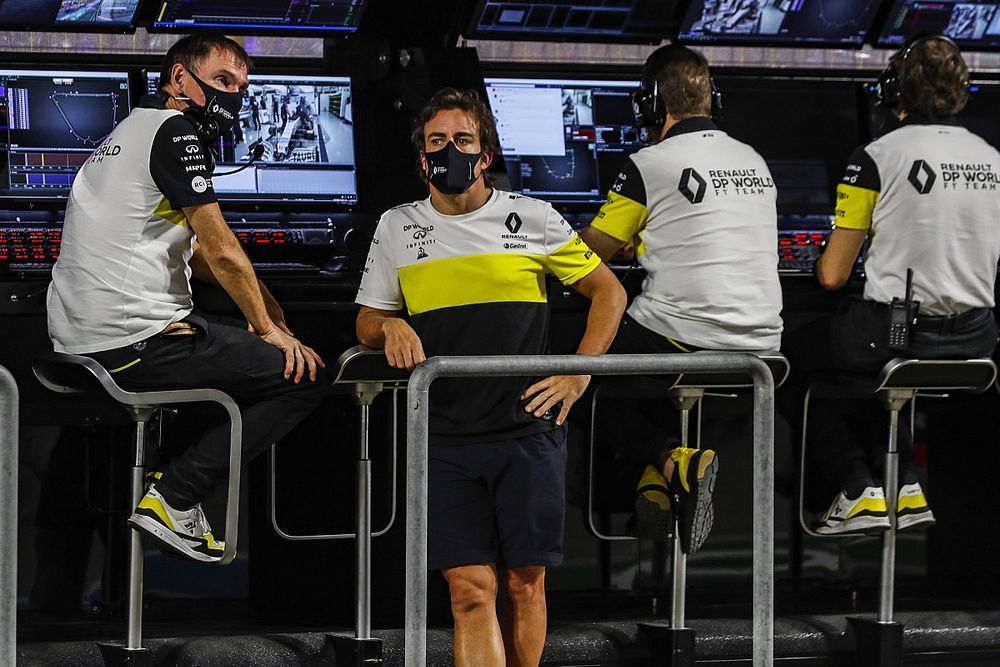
x=639 y=21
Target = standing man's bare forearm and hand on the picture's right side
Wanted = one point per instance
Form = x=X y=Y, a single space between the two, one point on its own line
x=607 y=303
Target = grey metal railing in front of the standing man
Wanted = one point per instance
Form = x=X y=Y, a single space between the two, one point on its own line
x=417 y=419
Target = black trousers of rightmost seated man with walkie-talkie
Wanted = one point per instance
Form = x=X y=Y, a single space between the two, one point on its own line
x=849 y=436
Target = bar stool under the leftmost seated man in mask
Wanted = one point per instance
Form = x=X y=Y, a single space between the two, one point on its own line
x=73 y=374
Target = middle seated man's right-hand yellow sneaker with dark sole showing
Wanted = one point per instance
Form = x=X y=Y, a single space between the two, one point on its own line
x=691 y=485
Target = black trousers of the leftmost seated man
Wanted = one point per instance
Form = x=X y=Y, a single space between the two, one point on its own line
x=222 y=355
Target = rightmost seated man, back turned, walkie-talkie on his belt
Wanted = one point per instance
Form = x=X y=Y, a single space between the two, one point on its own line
x=926 y=195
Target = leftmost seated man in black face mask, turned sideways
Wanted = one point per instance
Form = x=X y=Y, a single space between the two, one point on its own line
x=142 y=217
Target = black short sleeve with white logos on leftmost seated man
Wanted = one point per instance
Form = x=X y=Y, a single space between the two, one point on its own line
x=179 y=165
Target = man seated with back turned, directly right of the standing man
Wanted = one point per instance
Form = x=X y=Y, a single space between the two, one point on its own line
x=710 y=257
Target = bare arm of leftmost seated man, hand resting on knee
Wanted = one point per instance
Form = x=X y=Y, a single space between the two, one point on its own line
x=229 y=267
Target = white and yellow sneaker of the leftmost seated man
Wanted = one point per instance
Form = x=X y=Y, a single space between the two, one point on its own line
x=185 y=532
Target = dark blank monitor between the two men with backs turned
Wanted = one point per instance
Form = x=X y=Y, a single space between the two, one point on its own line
x=822 y=116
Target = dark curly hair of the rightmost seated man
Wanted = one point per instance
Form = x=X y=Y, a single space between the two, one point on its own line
x=933 y=79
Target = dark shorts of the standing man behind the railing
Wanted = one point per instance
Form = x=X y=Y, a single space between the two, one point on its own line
x=498 y=502
